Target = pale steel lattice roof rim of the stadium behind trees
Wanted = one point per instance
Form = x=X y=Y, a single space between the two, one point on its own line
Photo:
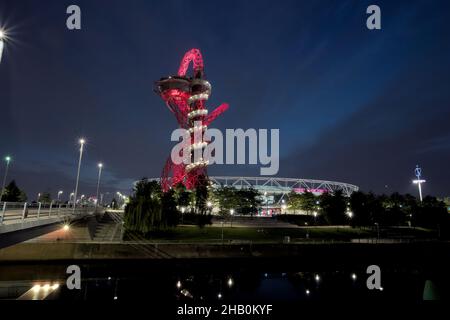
x=276 y=185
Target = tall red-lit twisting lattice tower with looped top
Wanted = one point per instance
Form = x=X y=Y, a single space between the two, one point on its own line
x=185 y=97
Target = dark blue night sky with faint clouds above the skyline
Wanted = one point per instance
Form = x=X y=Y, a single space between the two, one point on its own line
x=352 y=105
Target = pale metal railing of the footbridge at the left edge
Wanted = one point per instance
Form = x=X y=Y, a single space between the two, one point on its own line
x=11 y=212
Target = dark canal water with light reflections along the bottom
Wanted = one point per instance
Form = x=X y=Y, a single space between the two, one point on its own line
x=230 y=280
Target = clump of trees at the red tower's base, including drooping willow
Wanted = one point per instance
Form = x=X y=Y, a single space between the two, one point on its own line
x=150 y=209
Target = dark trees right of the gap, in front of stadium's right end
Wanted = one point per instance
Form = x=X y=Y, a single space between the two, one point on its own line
x=368 y=209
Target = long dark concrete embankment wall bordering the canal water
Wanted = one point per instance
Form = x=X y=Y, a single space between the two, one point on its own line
x=333 y=253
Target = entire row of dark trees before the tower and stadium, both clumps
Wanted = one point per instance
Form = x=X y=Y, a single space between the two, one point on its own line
x=150 y=209
